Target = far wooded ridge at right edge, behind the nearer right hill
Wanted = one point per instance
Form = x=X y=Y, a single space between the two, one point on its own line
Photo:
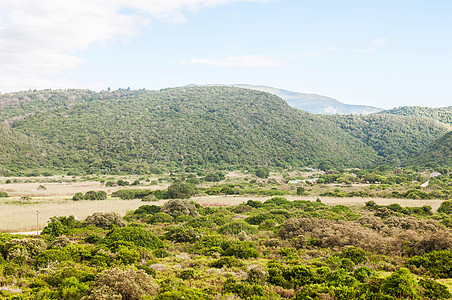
x=441 y=114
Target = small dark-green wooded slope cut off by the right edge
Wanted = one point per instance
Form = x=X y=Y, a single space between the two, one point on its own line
x=437 y=154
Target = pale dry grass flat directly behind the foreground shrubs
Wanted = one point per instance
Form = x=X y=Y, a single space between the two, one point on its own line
x=17 y=217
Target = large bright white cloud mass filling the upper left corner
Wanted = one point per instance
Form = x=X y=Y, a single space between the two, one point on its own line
x=38 y=38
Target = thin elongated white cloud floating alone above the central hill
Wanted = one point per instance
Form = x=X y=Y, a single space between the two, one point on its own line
x=236 y=61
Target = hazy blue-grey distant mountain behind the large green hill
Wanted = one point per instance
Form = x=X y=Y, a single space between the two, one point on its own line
x=315 y=104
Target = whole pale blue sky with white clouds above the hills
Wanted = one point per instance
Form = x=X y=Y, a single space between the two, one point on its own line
x=382 y=53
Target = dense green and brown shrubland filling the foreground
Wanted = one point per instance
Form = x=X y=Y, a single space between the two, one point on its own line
x=273 y=249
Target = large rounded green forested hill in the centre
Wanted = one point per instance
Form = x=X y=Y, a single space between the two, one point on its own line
x=207 y=126
